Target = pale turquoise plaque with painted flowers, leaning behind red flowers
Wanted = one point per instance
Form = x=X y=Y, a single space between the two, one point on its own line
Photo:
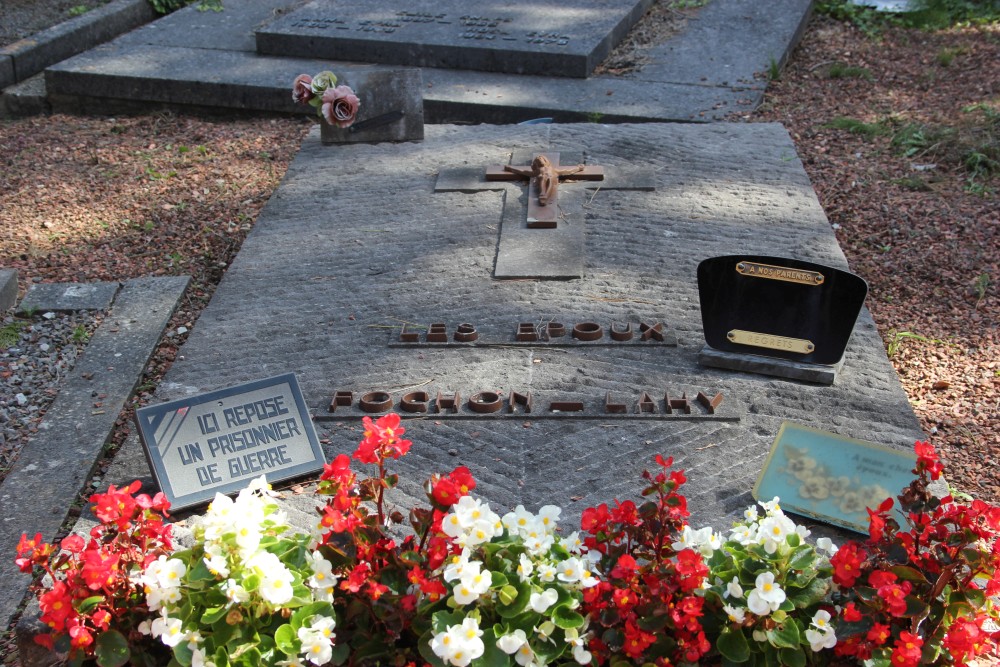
x=830 y=477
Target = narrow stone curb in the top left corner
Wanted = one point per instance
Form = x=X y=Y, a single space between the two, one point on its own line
x=29 y=56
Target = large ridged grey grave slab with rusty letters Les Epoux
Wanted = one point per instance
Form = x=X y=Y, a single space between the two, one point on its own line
x=356 y=248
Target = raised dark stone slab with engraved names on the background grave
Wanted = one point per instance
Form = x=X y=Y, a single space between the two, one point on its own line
x=568 y=38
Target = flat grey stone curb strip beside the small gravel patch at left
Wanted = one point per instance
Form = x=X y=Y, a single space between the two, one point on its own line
x=74 y=431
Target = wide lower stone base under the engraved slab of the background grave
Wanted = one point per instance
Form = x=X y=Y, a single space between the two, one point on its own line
x=199 y=60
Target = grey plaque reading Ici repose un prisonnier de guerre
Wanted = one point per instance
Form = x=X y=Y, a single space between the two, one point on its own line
x=217 y=442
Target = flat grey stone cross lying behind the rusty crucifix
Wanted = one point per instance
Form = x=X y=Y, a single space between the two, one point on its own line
x=547 y=242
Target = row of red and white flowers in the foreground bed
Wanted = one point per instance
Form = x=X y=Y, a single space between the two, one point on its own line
x=636 y=585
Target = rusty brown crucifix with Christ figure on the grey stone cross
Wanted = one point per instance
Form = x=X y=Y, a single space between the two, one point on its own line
x=544 y=175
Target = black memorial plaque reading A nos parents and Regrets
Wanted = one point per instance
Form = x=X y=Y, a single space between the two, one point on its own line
x=779 y=307
